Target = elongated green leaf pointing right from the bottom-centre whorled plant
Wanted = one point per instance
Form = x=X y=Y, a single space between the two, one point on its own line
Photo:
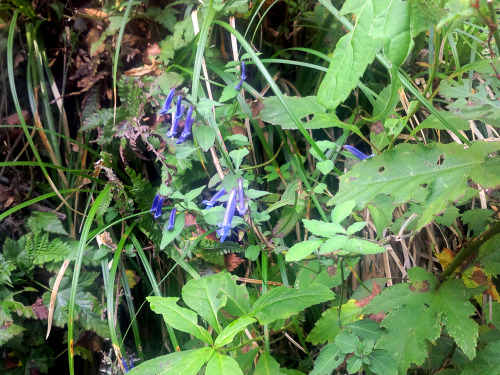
x=282 y=302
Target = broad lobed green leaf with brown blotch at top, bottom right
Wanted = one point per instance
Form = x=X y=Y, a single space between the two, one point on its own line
x=416 y=313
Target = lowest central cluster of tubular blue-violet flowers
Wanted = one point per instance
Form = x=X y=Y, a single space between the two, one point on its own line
x=232 y=204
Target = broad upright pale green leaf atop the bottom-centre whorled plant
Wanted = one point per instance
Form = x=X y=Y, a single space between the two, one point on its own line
x=201 y=296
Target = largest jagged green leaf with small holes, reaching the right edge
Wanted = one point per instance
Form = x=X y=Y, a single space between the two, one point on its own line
x=406 y=170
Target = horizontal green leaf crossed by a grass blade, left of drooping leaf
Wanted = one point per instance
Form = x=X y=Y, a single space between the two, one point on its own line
x=274 y=113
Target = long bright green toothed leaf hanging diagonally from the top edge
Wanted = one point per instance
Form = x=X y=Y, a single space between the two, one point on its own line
x=352 y=54
